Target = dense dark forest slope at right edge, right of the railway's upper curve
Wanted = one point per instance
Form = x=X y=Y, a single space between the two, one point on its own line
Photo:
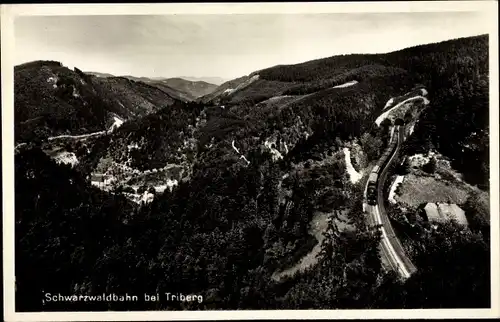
x=456 y=74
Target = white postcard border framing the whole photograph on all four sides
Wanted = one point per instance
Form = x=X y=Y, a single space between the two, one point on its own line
x=7 y=38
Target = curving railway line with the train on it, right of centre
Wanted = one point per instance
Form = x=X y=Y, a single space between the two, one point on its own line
x=391 y=247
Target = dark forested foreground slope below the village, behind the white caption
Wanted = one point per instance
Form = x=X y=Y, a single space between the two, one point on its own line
x=221 y=236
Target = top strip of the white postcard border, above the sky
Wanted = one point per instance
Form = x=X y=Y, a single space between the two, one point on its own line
x=249 y=8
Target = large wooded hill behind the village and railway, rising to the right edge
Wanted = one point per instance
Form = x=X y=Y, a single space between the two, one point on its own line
x=309 y=105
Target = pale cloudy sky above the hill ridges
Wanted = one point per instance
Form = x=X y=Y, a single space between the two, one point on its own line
x=225 y=45
